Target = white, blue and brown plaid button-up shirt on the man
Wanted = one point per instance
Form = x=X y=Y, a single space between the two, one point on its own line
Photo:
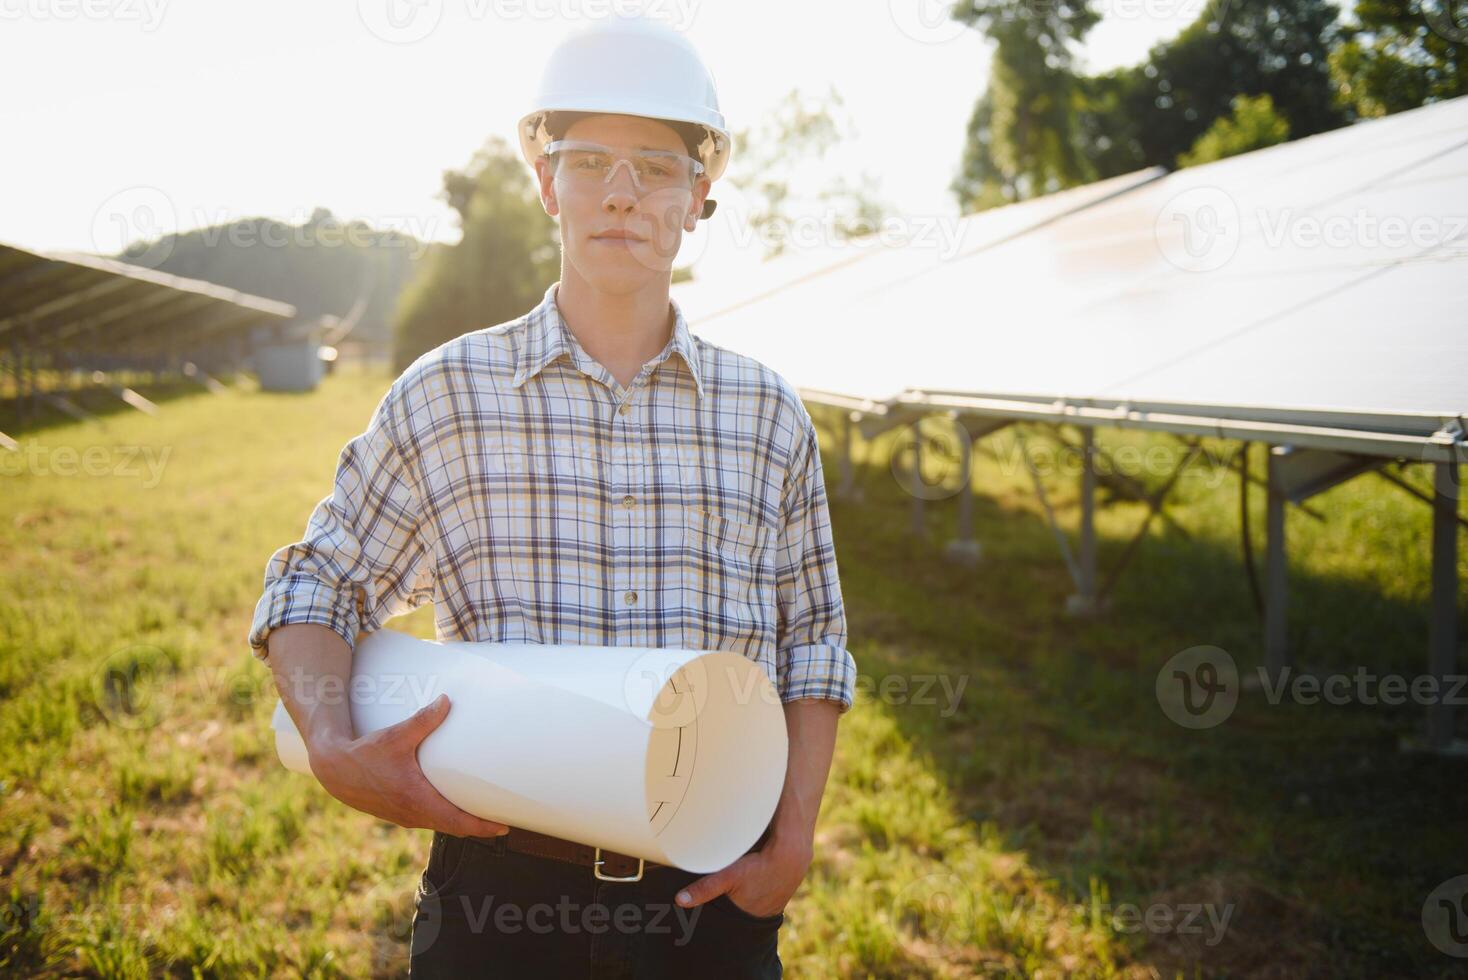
x=509 y=479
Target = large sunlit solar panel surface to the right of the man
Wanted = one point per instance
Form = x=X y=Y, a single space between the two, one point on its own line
x=1319 y=282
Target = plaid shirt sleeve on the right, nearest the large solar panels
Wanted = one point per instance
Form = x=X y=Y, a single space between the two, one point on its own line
x=811 y=646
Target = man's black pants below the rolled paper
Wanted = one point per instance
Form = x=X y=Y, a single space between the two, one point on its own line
x=488 y=912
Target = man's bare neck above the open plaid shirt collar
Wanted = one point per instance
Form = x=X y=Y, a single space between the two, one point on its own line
x=620 y=332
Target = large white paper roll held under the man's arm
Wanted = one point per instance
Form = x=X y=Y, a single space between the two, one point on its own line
x=673 y=756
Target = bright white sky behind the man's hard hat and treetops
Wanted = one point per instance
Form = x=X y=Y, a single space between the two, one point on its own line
x=124 y=118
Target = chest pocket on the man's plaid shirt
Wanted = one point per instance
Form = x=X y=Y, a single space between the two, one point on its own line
x=727 y=580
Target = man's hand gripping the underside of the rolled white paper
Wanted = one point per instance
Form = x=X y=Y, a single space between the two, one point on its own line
x=379 y=774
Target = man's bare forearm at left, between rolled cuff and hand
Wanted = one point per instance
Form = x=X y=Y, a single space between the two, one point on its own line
x=312 y=668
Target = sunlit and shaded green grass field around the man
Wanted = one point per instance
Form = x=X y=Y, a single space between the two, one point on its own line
x=1043 y=819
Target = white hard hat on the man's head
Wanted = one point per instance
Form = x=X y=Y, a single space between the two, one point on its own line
x=632 y=67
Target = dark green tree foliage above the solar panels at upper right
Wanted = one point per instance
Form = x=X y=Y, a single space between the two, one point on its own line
x=1042 y=127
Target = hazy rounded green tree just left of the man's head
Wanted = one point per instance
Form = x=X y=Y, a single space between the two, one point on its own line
x=503 y=265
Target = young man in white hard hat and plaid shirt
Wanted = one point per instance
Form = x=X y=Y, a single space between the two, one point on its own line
x=591 y=473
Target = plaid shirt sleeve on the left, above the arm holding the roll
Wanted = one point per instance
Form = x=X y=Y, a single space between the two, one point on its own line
x=365 y=557
